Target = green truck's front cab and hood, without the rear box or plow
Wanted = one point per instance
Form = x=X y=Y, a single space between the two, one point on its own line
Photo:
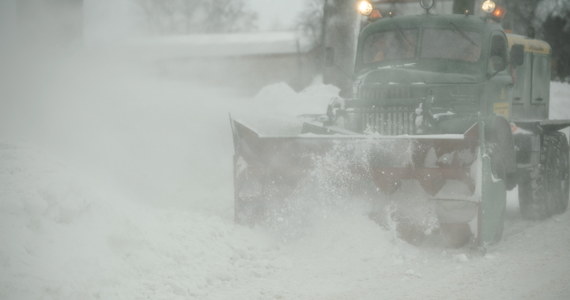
x=453 y=68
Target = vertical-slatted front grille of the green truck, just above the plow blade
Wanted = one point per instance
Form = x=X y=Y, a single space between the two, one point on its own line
x=390 y=120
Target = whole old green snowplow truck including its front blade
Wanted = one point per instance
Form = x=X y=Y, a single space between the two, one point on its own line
x=450 y=104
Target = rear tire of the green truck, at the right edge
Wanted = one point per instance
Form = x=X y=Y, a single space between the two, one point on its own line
x=543 y=191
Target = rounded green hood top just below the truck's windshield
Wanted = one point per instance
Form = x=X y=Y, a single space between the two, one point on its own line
x=403 y=75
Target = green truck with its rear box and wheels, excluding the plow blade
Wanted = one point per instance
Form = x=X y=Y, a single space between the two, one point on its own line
x=441 y=74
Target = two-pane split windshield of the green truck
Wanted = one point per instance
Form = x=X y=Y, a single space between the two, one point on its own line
x=401 y=45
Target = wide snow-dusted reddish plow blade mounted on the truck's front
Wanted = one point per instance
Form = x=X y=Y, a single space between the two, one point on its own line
x=270 y=162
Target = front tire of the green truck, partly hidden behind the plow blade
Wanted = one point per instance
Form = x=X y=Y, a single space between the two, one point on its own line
x=501 y=149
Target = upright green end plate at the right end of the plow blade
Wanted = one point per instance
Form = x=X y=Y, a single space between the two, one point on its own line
x=490 y=220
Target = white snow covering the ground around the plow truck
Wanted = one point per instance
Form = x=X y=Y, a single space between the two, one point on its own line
x=116 y=183
